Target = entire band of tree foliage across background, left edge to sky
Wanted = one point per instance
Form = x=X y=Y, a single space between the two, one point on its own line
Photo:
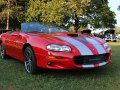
x=68 y=13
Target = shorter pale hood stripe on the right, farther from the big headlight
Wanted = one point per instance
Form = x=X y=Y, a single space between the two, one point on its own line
x=97 y=45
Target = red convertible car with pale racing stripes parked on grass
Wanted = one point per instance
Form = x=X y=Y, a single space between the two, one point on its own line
x=39 y=45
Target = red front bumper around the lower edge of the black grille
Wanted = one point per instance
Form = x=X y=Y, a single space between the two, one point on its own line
x=58 y=62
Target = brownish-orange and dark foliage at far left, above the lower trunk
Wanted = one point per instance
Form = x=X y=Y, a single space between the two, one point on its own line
x=12 y=11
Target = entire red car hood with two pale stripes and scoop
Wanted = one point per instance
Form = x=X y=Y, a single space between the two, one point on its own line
x=84 y=44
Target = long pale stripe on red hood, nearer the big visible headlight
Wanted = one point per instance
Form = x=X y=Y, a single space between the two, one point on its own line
x=84 y=50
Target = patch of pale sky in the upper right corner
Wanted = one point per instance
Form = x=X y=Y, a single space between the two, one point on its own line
x=113 y=4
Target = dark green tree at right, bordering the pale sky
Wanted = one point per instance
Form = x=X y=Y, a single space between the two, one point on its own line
x=100 y=15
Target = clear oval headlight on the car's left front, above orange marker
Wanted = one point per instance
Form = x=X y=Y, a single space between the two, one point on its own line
x=59 y=48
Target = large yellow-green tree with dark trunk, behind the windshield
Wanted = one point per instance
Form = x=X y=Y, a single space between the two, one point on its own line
x=58 y=12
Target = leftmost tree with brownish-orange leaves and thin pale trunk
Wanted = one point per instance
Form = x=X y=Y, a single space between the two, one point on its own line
x=9 y=9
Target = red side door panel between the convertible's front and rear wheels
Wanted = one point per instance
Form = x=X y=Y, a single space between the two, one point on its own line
x=14 y=45
